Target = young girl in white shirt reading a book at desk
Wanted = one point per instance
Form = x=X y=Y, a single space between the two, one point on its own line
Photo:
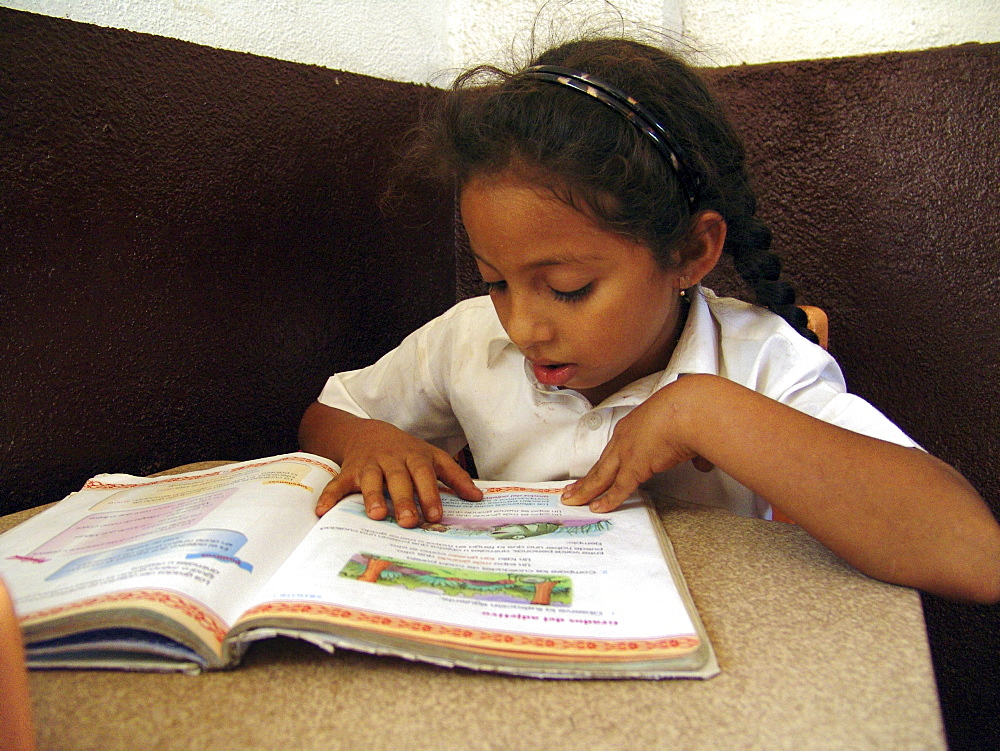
x=598 y=186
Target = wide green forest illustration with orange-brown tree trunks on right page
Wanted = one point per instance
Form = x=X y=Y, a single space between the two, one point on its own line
x=477 y=585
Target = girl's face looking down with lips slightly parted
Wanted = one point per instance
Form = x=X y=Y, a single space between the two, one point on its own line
x=590 y=310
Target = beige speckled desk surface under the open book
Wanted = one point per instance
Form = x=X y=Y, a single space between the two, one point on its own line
x=813 y=654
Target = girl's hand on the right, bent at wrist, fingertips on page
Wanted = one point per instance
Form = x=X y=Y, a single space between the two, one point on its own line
x=646 y=441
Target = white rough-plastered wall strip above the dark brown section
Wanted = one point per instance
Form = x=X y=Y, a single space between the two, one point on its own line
x=427 y=40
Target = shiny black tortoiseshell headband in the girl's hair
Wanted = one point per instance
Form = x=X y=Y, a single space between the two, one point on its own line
x=631 y=110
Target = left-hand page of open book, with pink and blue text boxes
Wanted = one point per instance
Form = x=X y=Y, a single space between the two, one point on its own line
x=191 y=547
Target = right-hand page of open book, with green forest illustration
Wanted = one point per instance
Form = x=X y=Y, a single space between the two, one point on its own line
x=518 y=572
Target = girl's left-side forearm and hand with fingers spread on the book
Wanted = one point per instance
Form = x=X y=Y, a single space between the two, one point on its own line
x=375 y=456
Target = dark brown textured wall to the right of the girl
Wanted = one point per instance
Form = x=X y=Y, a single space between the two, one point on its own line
x=878 y=176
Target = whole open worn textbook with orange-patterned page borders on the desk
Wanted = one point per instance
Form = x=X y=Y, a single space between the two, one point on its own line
x=184 y=572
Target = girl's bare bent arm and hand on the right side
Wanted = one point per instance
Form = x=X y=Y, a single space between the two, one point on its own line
x=897 y=514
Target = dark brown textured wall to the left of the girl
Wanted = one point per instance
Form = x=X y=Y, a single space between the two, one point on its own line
x=189 y=245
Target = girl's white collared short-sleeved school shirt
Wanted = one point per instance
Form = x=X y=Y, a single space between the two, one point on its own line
x=459 y=379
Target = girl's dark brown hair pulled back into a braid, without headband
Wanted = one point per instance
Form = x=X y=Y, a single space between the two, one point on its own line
x=596 y=160
